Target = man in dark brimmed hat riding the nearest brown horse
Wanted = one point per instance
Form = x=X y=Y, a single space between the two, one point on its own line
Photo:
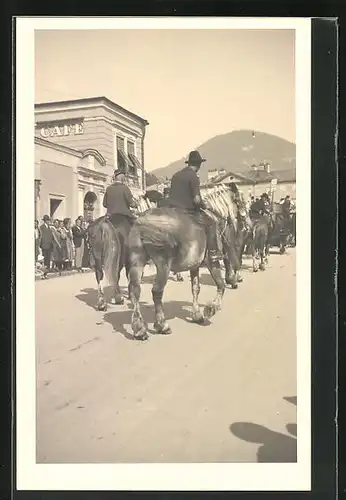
x=185 y=194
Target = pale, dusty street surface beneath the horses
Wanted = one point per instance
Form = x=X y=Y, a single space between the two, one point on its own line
x=225 y=392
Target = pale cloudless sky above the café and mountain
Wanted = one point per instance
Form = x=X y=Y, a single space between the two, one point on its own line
x=191 y=85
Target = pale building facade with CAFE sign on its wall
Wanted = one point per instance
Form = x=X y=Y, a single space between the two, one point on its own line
x=78 y=145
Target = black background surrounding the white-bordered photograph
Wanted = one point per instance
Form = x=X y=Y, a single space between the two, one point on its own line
x=324 y=220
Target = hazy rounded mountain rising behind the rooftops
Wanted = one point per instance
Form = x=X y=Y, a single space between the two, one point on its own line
x=237 y=151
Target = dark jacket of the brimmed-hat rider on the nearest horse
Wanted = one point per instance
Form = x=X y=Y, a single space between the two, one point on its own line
x=185 y=186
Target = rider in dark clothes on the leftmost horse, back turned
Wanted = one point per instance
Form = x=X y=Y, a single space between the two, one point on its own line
x=118 y=201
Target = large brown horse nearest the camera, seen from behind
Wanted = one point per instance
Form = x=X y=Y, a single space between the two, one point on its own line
x=173 y=241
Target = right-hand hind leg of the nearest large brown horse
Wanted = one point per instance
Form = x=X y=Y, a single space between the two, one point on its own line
x=163 y=268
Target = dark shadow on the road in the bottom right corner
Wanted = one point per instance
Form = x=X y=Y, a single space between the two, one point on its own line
x=275 y=447
